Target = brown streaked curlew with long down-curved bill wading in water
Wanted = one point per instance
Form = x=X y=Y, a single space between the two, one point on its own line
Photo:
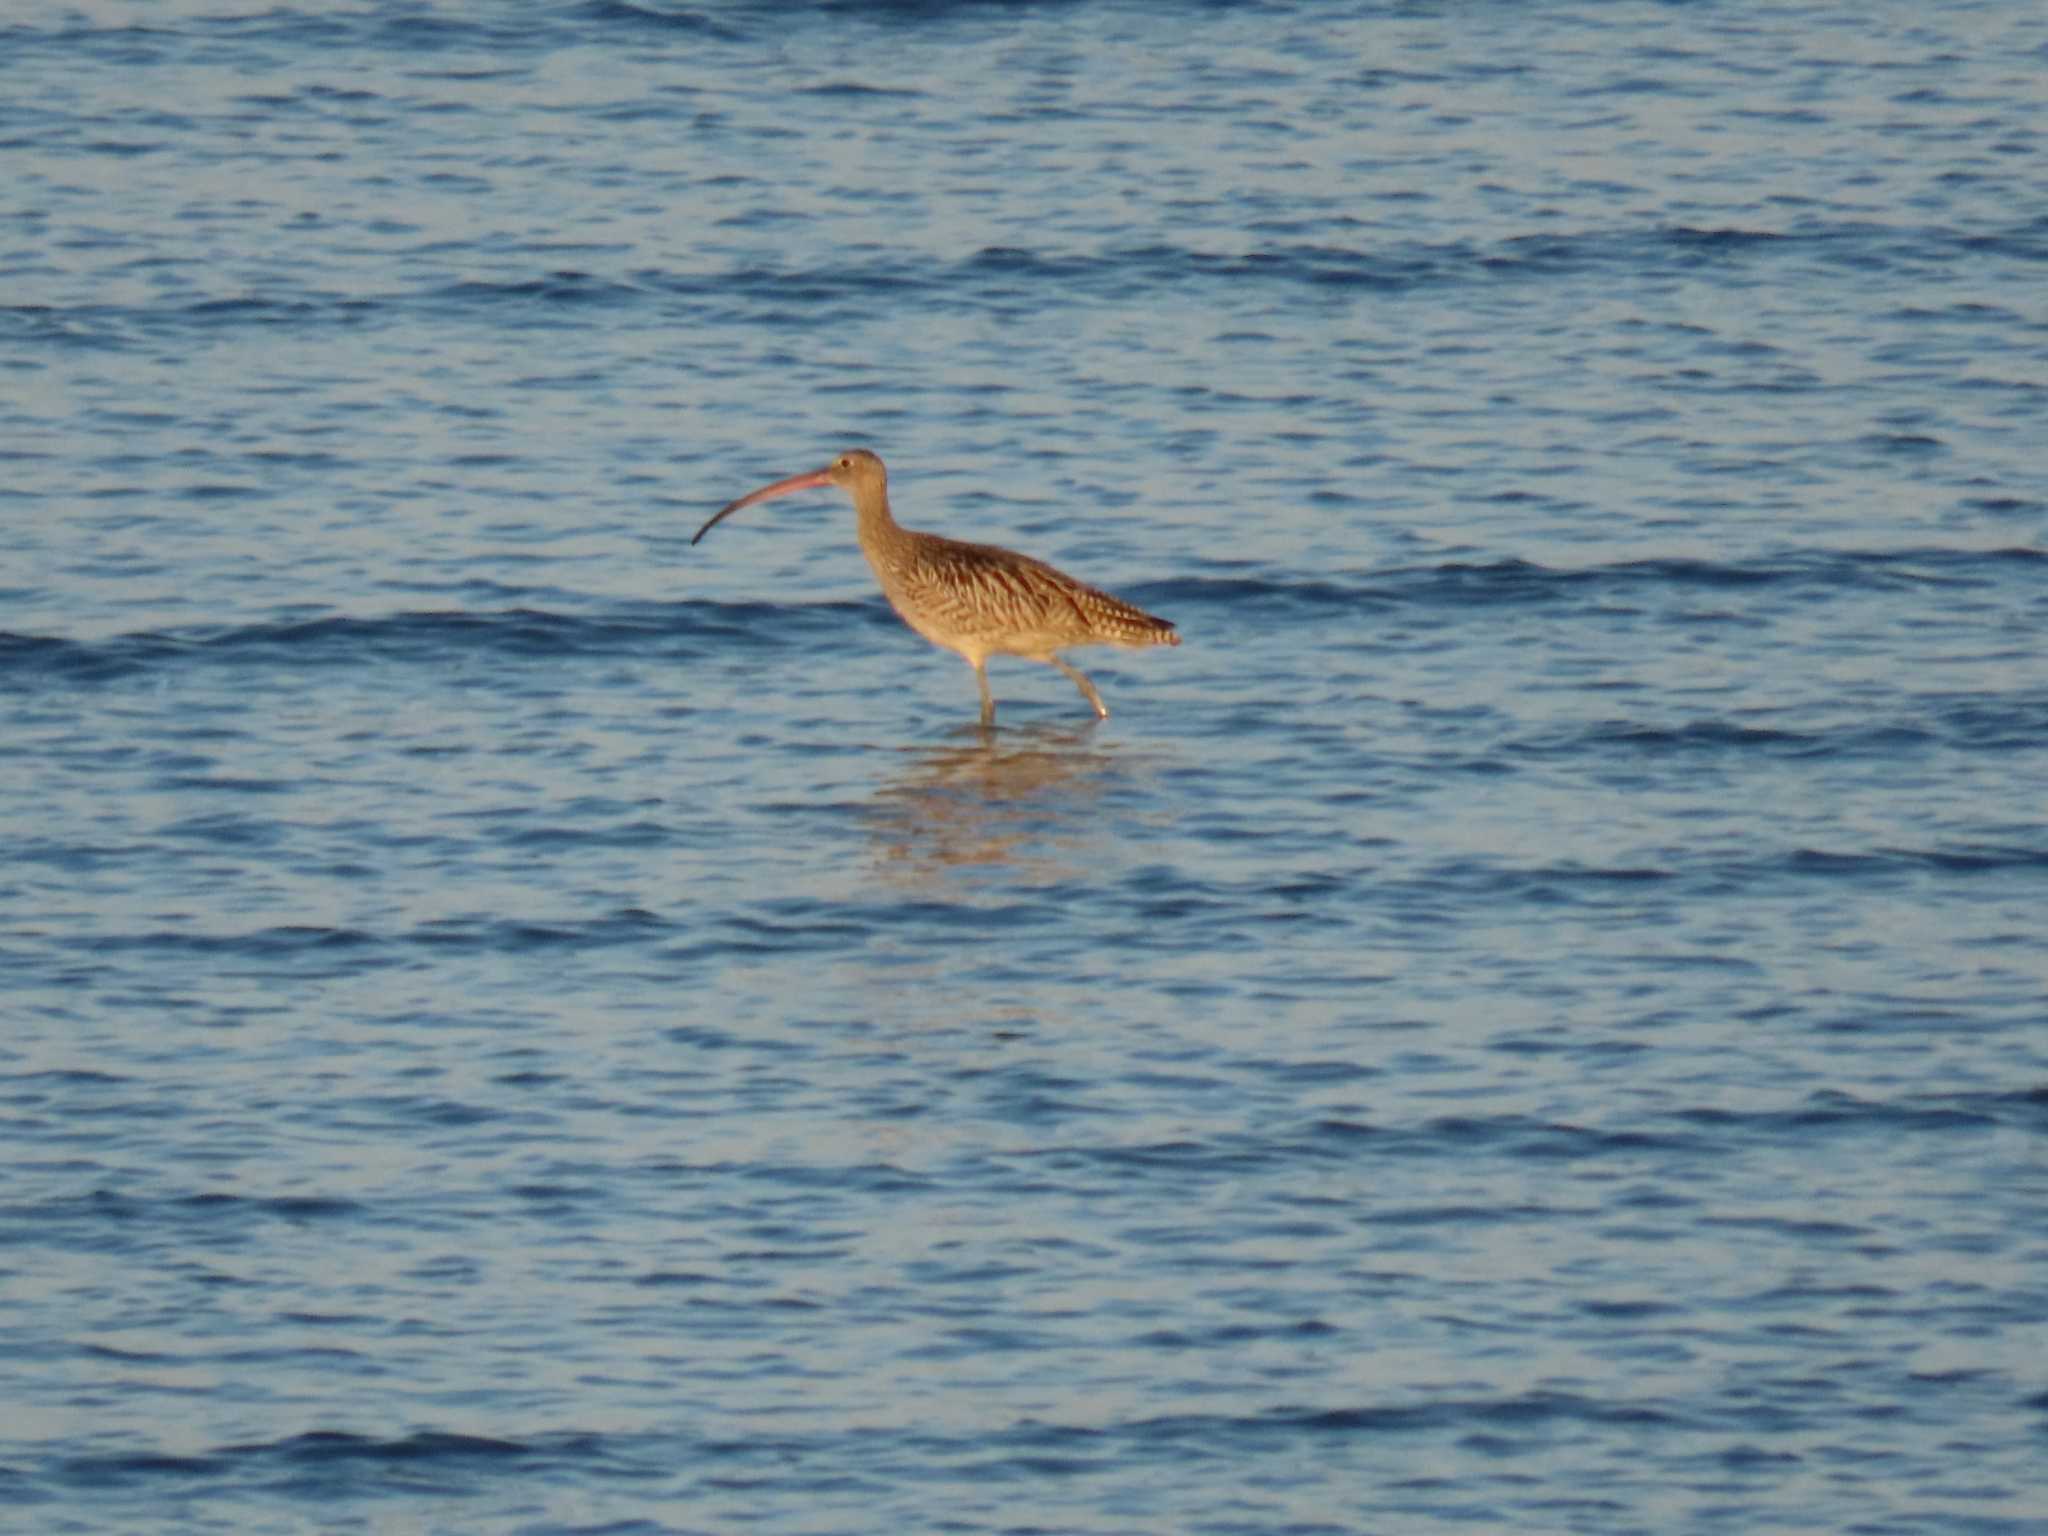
x=978 y=601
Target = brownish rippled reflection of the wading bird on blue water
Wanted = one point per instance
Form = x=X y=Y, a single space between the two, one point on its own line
x=1021 y=800
